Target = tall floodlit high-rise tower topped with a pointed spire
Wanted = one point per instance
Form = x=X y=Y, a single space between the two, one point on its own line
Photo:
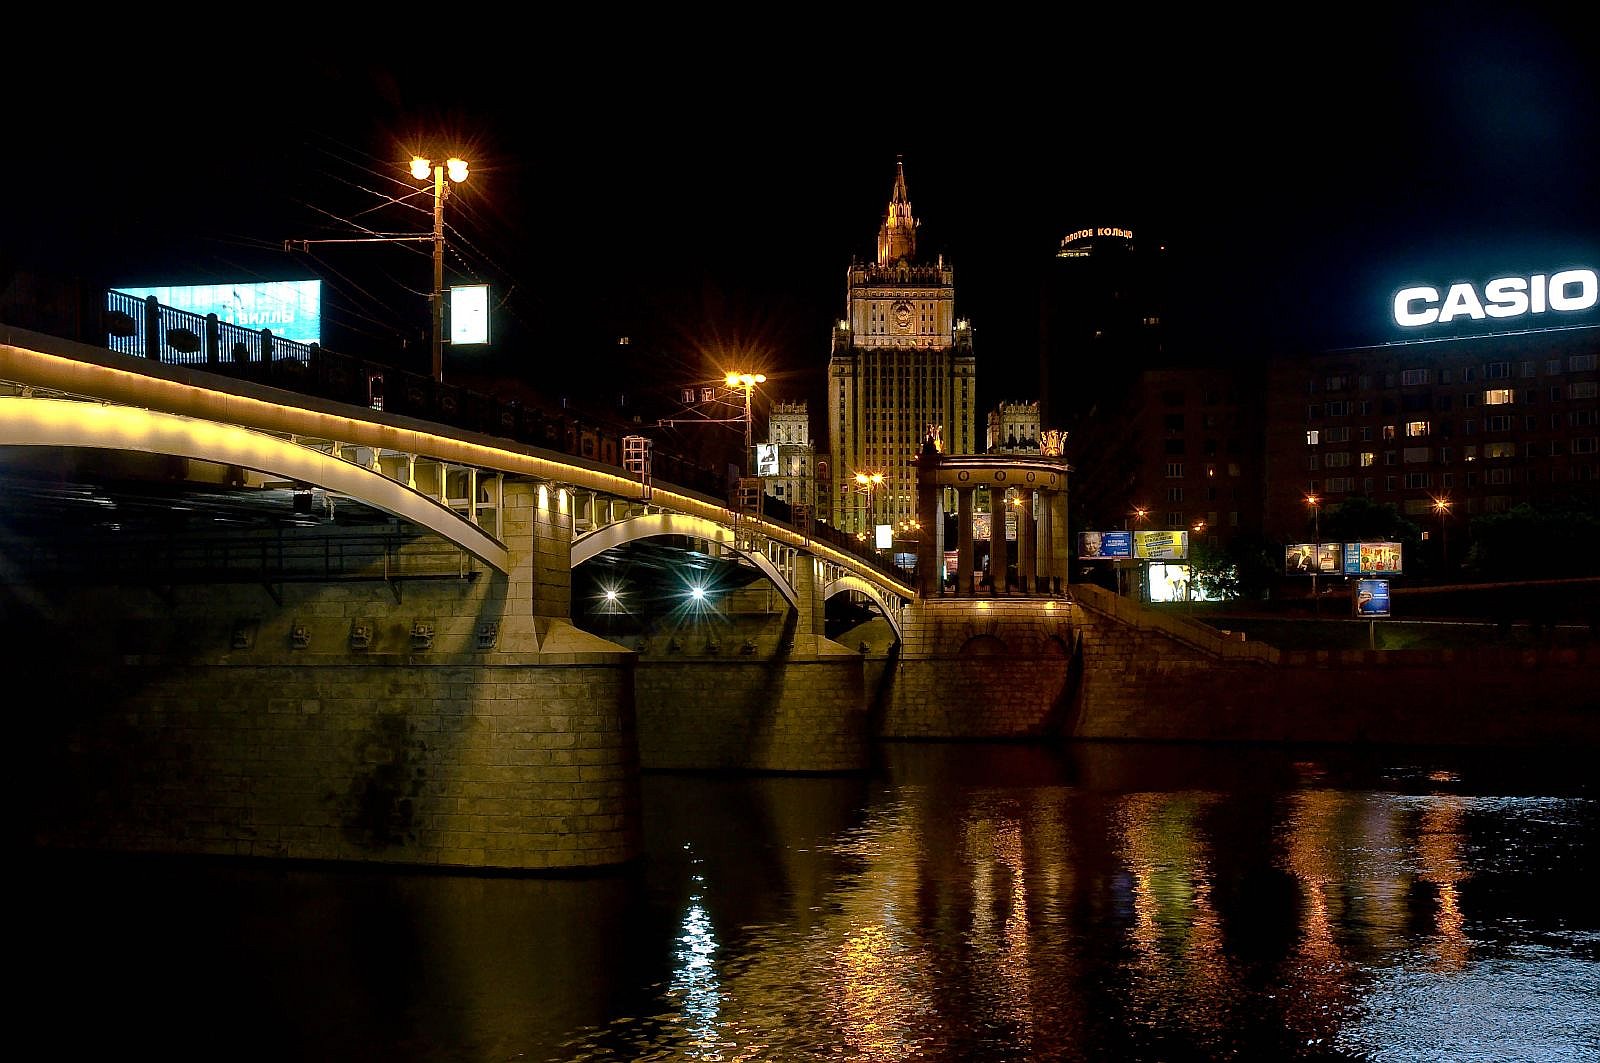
x=902 y=367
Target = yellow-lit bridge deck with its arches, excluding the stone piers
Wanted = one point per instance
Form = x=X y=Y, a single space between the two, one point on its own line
x=442 y=479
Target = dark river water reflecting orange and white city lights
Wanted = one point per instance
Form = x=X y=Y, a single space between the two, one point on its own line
x=1094 y=902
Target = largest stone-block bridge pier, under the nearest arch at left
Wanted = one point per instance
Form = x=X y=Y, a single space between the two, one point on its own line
x=218 y=721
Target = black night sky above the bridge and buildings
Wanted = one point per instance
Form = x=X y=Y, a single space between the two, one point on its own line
x=708 y=204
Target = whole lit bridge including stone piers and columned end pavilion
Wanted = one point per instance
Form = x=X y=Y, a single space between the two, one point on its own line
x=415 y=688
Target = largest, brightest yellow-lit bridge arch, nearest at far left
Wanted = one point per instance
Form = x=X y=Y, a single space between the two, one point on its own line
x=36 y=422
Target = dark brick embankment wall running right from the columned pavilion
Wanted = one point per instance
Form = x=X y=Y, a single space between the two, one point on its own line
x=1154 y=676
